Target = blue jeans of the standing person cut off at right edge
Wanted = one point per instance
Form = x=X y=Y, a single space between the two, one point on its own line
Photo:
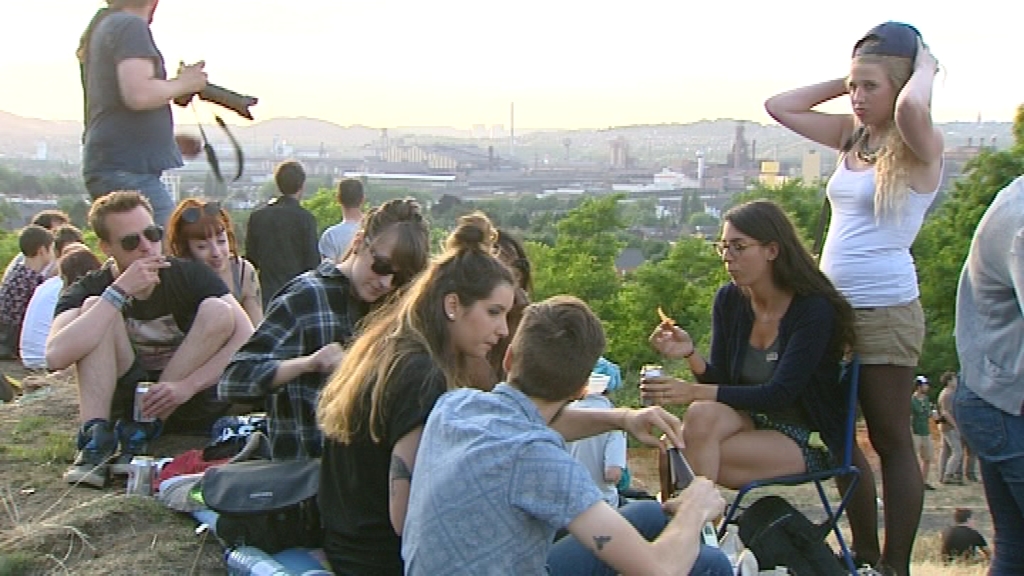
x=998 y=439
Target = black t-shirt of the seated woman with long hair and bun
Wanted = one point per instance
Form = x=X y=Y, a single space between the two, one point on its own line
x=354 y=496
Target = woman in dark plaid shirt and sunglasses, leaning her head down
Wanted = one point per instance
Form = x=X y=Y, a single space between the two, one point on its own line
x=314 y=318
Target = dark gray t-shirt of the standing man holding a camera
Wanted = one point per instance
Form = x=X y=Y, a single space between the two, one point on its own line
x=118 y=139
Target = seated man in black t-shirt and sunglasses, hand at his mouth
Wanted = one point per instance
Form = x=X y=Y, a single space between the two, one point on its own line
x=142 y=318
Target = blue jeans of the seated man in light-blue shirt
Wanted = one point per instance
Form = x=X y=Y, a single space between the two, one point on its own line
x=569 y=557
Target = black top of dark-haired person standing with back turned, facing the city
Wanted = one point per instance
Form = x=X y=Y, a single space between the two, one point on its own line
x=281 y=242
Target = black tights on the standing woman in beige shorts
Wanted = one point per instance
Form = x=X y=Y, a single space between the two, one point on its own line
x=885 y=400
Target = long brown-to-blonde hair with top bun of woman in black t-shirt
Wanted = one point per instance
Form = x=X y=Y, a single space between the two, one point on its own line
x=353 y=402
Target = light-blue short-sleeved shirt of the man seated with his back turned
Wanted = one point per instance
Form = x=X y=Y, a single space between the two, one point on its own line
x=493 y=484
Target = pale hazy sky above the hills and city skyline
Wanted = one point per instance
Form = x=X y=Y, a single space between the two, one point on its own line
x=565 y=63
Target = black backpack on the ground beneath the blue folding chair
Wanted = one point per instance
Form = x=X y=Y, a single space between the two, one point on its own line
x=780 y=536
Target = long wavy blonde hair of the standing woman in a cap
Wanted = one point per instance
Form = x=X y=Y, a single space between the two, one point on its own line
x=895 y=158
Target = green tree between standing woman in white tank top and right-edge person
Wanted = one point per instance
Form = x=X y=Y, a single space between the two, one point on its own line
x=946 y=239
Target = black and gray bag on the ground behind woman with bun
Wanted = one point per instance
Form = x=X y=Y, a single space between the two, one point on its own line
x=271 y=505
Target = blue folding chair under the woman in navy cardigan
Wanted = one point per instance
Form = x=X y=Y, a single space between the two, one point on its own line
x=850 y=378
